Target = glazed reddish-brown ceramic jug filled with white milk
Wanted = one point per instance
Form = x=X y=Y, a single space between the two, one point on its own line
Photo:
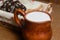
x=37 y=25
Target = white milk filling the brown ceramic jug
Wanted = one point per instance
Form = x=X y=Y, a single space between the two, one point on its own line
x=38 y=17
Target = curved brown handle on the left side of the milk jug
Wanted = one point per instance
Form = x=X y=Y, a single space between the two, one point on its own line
x=17 y=20
